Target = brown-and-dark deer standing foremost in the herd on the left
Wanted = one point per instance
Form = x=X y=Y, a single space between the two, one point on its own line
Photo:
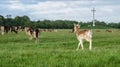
x=32 y=33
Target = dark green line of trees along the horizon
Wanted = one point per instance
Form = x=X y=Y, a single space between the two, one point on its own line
x=24 y=21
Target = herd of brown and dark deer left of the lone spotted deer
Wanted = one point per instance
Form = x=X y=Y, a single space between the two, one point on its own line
x=31 y=32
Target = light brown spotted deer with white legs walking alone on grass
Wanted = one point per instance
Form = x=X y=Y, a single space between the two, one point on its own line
x=83 y=35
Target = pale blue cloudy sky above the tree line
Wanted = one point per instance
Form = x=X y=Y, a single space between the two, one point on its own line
x=77 y=10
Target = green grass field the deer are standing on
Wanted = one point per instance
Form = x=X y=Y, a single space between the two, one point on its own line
x=58 y=49
